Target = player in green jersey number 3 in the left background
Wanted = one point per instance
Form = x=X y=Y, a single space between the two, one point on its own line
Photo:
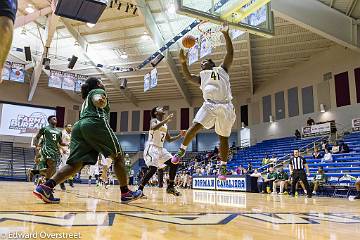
x=50 y=146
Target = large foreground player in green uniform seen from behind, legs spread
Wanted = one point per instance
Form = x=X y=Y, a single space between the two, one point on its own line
x=91 y=135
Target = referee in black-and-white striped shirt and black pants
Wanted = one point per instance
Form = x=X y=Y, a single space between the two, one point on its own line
x=297 y=167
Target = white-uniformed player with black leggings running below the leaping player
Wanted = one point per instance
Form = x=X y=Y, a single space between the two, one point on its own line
x=155 y=155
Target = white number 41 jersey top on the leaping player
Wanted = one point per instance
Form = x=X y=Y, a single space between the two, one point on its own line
x=215 y=85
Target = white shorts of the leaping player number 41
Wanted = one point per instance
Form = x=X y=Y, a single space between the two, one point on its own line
x=221 y=115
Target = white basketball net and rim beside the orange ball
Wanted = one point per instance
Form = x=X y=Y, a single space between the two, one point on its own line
x=211 y=32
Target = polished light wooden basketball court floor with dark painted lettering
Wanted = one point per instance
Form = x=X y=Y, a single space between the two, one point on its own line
x=95 y=213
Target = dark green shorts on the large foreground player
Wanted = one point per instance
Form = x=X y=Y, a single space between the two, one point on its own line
x=89 y=137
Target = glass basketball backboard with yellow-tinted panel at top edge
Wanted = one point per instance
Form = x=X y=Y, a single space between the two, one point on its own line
x=253 y=16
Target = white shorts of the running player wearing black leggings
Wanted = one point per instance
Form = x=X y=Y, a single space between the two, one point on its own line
x=156 y=156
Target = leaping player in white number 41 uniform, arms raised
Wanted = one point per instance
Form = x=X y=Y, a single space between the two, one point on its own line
x=217 y=109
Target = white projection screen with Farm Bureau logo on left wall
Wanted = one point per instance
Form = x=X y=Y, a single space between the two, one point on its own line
x=23 y=121
